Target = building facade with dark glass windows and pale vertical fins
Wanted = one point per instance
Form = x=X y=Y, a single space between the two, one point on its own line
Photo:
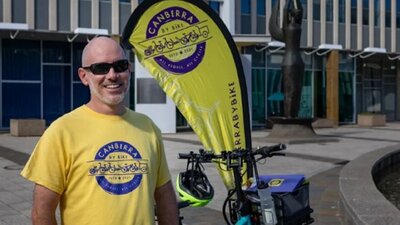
x=351 y=49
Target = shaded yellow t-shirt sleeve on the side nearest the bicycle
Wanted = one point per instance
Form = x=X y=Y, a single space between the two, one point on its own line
x=163 y=171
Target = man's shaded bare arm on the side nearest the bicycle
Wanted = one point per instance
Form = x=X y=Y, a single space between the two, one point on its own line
x=167 y=210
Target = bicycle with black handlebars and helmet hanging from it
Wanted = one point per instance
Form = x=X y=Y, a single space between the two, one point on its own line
x=244 y=205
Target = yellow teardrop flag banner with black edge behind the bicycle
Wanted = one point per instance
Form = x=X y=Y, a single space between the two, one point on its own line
x=189 y=51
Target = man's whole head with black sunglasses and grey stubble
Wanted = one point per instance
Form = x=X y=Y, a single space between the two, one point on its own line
x=107 y=73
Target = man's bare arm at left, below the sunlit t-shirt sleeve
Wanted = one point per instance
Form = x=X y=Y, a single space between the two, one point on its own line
x=45 y=203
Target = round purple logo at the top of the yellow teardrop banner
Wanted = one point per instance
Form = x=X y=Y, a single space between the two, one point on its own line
x=176 y=39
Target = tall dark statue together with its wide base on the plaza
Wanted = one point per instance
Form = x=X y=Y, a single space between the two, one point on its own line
x=290 y=128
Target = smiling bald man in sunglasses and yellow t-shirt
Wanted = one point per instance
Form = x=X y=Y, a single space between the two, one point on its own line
x=102 y=163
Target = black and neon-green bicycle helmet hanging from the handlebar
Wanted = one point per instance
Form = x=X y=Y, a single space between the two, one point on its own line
x=193 y=186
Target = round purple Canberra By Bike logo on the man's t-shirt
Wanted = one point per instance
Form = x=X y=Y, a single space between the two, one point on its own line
x=118 y=167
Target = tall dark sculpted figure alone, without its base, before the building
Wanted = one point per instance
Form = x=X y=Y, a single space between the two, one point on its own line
x=292 y=63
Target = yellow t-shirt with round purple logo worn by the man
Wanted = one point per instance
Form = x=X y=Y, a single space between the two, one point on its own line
x=106 y=168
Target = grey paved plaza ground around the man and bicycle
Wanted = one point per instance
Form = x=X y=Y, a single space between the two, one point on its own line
x=320 y=162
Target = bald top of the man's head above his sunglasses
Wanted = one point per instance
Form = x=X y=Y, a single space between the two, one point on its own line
x=98 y=50
